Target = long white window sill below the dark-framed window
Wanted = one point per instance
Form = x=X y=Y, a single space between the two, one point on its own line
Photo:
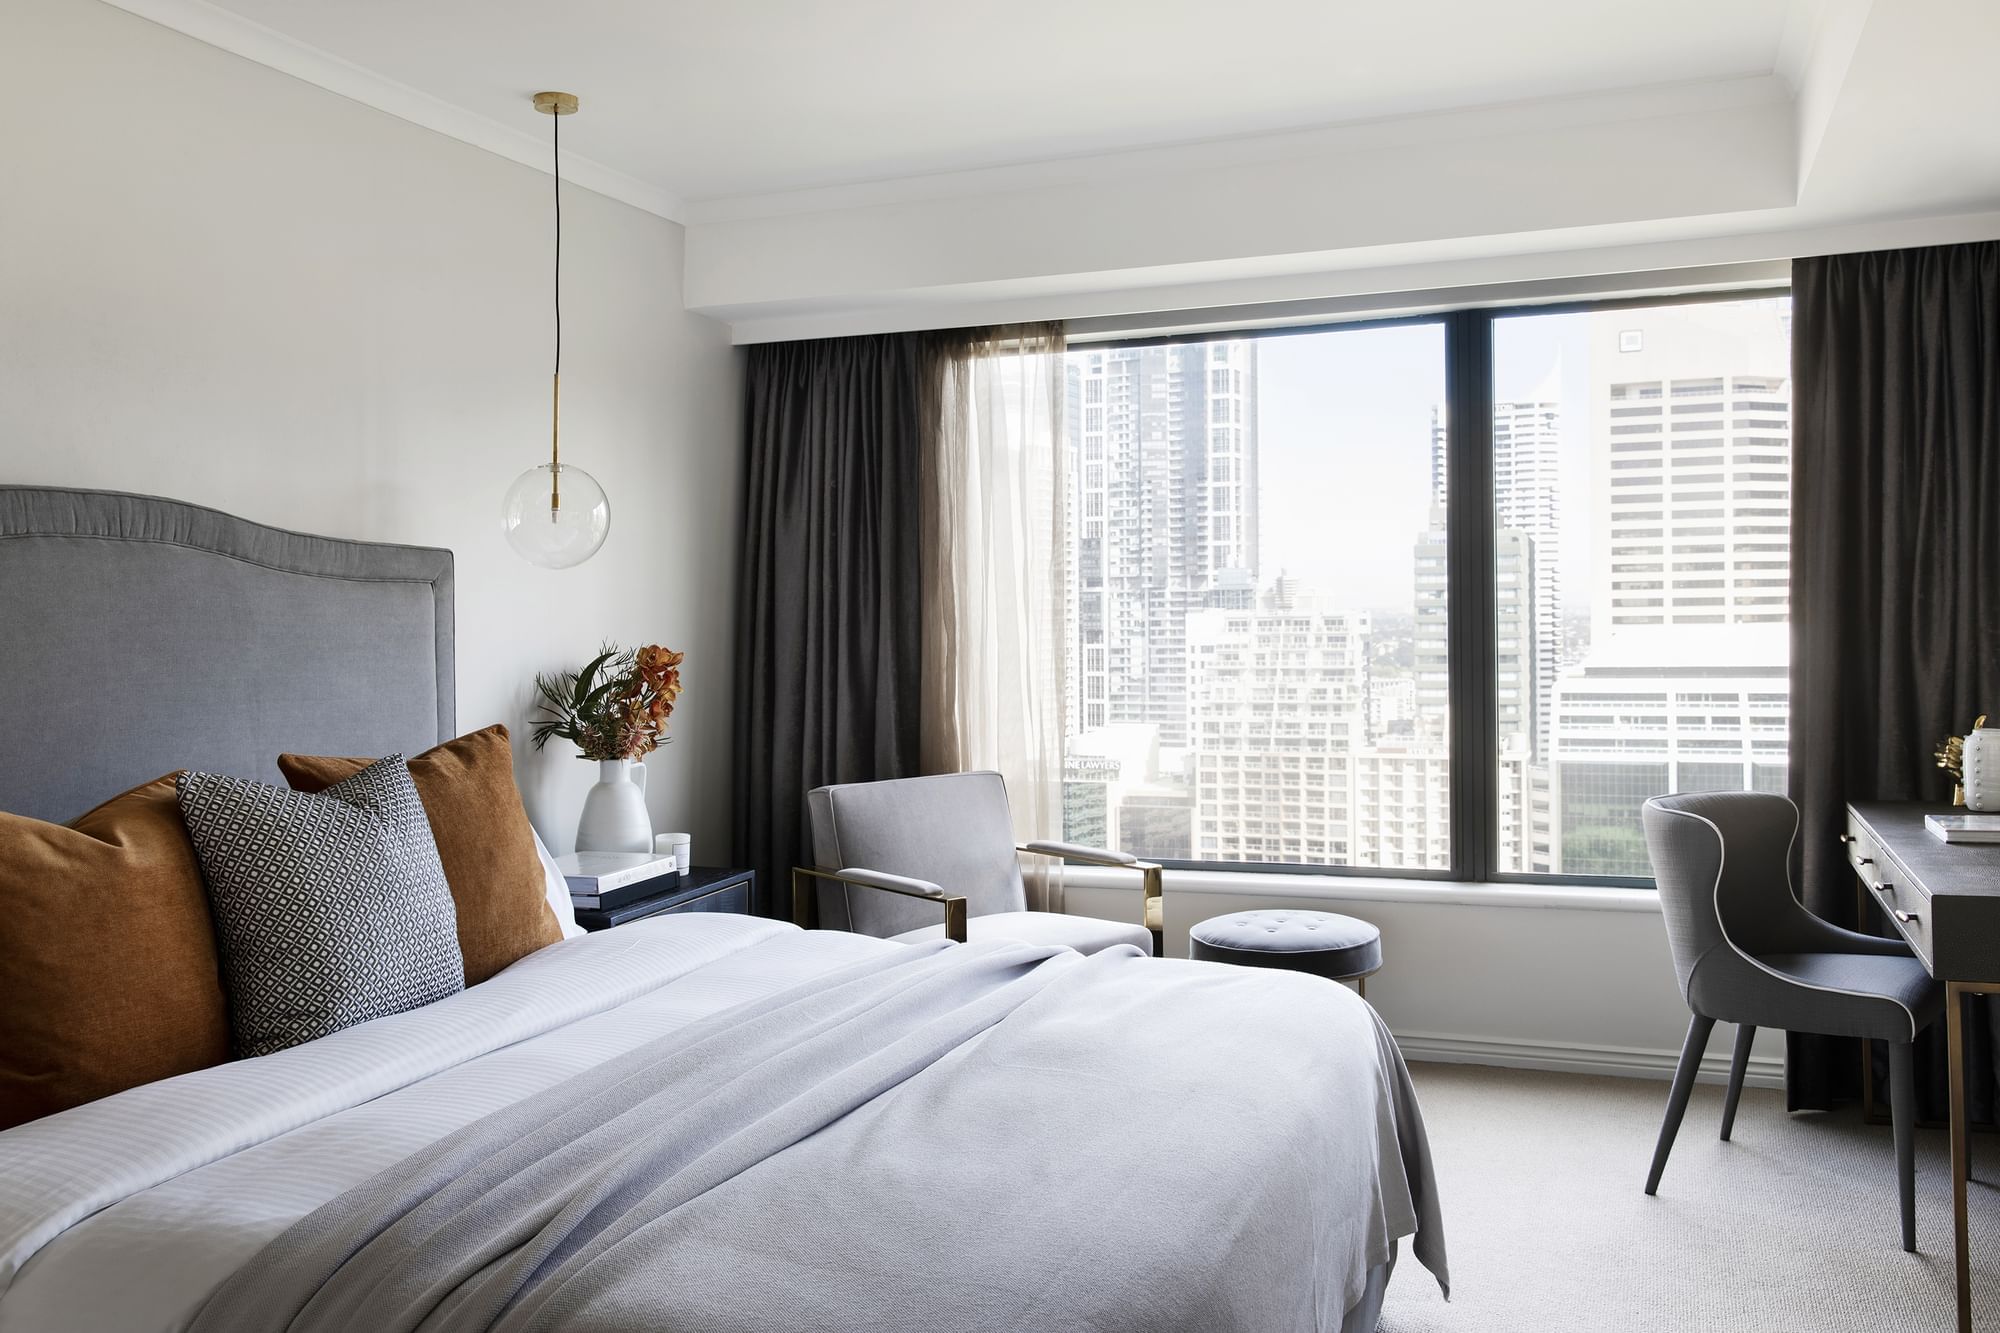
x=1277 y=890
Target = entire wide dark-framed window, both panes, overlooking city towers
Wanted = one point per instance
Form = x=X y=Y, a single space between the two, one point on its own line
x=1277 y=657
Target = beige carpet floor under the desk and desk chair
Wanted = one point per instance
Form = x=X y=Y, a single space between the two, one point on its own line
x=1787 y=1230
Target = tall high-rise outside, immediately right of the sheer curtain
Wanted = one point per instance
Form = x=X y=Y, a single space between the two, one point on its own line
x=1165 y=511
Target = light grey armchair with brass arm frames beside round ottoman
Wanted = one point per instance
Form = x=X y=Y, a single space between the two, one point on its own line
x=891 y=856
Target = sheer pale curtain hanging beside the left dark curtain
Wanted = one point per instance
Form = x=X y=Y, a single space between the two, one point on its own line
x=995 y=597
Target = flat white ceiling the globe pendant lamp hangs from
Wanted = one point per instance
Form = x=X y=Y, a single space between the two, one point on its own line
x=709 y=99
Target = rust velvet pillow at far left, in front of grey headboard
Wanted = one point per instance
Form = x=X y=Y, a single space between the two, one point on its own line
x=109 y=972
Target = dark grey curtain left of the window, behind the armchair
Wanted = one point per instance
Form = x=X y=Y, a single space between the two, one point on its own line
x=829 y=647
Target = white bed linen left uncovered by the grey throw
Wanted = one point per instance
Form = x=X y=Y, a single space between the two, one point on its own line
x=129 y=1212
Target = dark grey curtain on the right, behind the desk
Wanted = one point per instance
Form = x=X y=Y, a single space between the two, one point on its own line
x=1895 y=571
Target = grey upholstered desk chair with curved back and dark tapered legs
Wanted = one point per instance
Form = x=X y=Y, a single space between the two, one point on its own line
x=1749 y=954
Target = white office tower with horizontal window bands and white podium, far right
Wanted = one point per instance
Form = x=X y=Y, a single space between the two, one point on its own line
x=1685 y=686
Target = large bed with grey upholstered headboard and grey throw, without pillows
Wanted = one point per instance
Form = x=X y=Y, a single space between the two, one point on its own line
x=685 y=1124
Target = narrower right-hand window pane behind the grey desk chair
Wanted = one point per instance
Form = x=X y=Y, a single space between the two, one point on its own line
x=1715 y=633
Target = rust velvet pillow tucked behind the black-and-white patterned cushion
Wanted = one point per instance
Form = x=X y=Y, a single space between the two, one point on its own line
x=483 y=836
